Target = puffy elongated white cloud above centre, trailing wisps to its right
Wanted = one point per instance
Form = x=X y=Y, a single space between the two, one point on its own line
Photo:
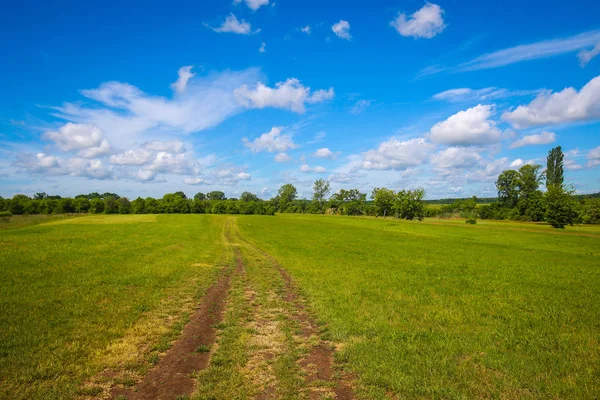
x=290 y=94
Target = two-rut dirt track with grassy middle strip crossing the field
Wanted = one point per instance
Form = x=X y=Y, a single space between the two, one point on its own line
x=286 y=357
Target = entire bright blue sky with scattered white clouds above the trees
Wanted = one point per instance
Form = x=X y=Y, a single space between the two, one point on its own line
x=146 y=98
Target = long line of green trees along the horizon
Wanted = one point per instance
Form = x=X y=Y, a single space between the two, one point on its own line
x=519 y=198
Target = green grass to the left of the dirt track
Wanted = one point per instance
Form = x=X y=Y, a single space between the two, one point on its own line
x=80 y=295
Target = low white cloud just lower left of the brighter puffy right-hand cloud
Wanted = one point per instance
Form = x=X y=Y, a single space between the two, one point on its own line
x=396 y=155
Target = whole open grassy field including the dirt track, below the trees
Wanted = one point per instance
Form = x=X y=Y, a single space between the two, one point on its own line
x=436 y=309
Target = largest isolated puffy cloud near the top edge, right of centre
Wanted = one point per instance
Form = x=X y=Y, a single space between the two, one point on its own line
x=425 y=23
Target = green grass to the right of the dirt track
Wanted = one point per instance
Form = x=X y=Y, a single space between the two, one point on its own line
x=441 y=309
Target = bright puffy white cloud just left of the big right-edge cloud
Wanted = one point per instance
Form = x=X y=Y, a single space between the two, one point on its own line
x=468 y=127
